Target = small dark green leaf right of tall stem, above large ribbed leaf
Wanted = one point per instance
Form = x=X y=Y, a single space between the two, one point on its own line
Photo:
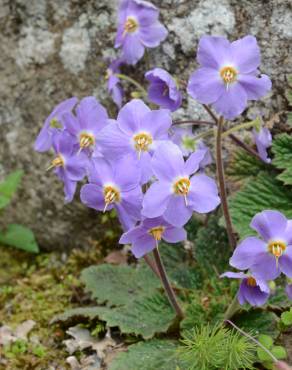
x=243 y=166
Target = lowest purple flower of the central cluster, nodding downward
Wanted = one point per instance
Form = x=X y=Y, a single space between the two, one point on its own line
x=145 y=237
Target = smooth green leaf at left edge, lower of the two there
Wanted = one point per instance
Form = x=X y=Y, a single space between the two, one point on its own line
x=20 y=237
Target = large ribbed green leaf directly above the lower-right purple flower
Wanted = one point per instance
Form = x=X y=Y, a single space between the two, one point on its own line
x=264 y=192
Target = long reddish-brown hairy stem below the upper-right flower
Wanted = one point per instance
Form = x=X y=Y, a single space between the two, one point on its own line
x=222 y=187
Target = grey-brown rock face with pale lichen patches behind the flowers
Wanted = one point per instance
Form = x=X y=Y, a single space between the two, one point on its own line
x=51 y=50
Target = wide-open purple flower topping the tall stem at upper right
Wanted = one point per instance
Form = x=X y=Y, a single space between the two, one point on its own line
x=228 y=74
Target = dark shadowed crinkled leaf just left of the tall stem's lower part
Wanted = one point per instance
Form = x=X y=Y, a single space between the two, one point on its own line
x=211 y=248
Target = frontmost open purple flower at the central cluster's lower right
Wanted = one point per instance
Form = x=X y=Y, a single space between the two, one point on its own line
x=176 y=194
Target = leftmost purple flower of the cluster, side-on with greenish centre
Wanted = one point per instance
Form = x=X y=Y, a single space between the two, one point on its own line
x=53 y=123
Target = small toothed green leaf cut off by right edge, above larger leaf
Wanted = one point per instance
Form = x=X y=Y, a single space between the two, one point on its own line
x=282 y=149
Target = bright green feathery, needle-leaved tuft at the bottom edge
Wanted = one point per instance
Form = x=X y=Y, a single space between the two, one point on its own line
x=215 y=347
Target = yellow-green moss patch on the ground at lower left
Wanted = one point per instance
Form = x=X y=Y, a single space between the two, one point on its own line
x=37 y=288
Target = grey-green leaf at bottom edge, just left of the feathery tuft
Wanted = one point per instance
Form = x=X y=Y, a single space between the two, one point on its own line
x=154 y=354
